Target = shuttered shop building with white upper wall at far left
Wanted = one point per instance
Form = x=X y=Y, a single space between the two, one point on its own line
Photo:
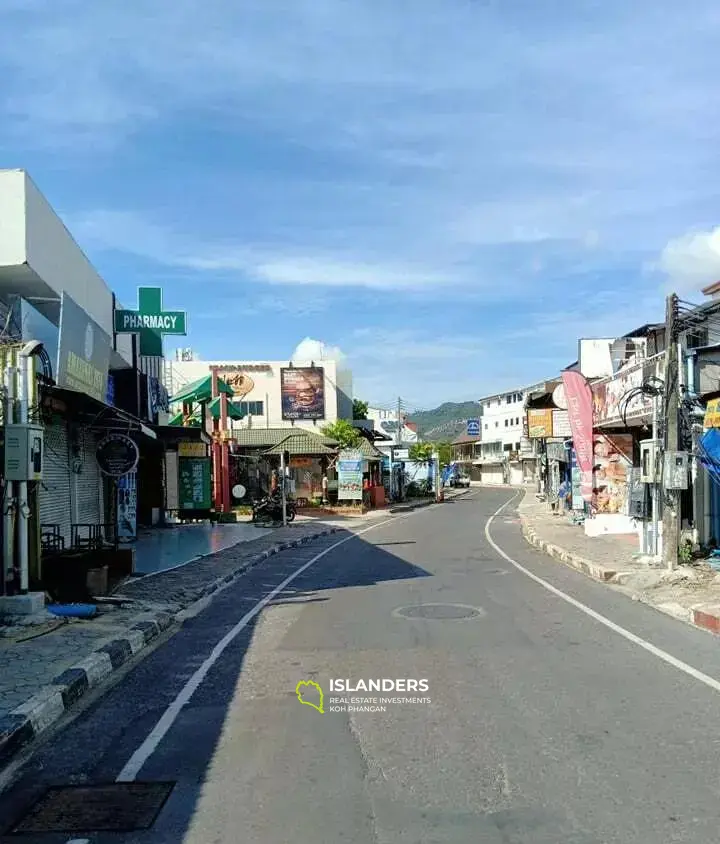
x=90 y=385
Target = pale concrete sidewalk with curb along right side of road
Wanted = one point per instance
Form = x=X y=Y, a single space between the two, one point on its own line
x=690 y=593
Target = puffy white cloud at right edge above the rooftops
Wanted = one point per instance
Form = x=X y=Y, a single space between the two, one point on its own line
x=691 y=262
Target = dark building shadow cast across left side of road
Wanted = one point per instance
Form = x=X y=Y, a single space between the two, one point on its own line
x=96 y=746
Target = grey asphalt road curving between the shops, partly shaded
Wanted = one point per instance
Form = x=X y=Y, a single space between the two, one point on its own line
x=559 y=711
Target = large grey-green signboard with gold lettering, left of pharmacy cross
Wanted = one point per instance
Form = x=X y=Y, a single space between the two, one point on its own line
x=83 y=352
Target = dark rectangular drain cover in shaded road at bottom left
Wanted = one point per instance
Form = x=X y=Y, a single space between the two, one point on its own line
x=117 y=807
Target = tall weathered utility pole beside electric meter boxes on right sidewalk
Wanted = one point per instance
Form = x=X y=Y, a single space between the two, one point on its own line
x=671 y=514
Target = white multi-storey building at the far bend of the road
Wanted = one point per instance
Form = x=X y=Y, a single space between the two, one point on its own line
x=506 y=453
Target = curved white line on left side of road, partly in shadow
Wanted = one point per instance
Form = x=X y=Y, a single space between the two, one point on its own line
x=136 y=762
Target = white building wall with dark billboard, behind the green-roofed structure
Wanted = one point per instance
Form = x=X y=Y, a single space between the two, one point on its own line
x=316 y=393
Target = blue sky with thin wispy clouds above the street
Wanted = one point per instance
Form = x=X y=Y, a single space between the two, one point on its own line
x=450 y=192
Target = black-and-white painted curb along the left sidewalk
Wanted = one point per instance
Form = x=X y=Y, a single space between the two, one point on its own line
x=27 y=721
